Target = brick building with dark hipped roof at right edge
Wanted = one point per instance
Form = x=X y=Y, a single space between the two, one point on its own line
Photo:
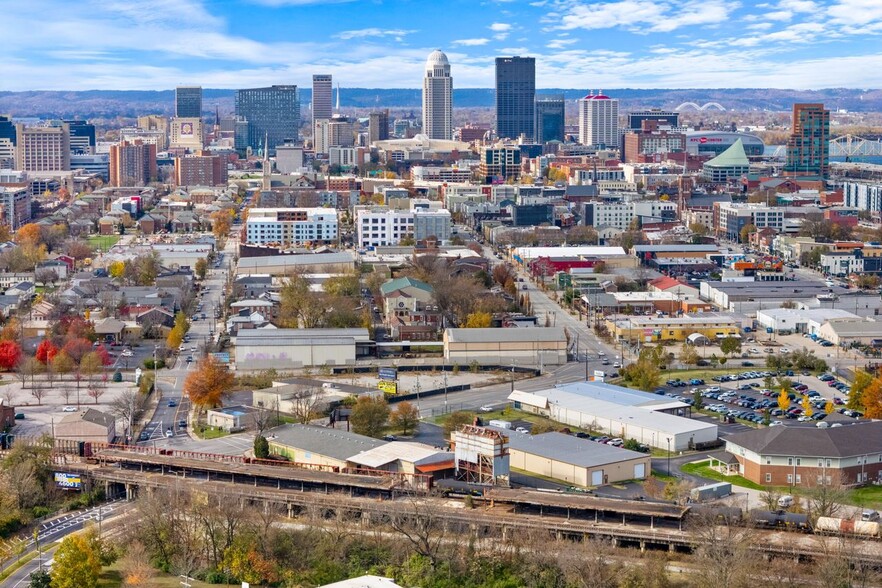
x=804 y=455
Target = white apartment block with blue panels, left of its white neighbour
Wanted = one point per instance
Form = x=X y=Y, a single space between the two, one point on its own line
x=291 y=226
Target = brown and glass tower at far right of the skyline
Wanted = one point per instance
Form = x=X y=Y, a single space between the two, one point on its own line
x=808 y=148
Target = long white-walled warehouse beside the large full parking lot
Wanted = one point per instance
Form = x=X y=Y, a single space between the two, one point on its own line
x=656 y=429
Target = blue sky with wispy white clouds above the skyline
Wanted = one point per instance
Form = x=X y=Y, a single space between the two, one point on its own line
x=158 y=44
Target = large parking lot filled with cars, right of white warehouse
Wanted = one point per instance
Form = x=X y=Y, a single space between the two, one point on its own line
x=747 y=397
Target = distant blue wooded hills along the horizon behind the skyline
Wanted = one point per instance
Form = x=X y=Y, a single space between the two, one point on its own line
x=110 y=104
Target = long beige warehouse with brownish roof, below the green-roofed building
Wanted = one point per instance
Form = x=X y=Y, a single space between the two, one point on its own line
x=540 y=346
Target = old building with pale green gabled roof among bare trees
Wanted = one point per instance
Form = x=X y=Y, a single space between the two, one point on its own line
x=410 y=312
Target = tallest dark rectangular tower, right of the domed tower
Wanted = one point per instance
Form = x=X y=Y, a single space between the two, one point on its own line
x=515 y=96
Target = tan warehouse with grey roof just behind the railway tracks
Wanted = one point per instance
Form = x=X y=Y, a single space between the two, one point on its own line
x=576 y=461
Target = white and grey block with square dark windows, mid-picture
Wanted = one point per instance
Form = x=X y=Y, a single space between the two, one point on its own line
x=380 y=226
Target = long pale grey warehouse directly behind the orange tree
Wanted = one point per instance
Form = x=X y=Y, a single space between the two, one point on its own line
x=262 y=349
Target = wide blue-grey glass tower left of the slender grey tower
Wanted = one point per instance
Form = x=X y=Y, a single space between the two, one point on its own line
x=273 y=115
